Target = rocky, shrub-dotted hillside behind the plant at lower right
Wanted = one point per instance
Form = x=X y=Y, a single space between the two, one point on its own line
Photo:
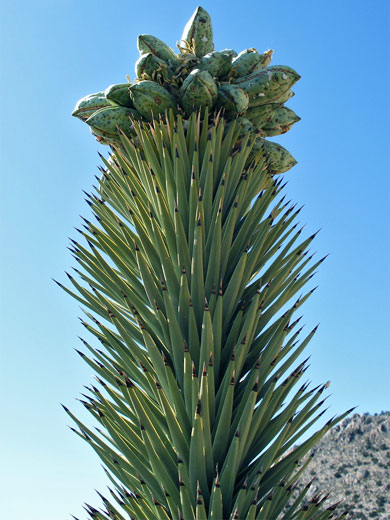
x=352 y=464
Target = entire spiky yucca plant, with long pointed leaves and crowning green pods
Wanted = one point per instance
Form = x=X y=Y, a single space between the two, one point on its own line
x=191 y=279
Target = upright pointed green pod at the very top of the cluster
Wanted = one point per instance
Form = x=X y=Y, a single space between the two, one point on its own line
x=198 y=33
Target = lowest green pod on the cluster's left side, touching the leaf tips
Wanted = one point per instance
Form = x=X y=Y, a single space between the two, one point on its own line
x=105 y=122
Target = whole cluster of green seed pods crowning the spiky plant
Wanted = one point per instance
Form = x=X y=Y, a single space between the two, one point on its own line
x=242 y=86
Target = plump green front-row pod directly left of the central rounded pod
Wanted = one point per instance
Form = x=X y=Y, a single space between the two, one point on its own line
x=151 y=99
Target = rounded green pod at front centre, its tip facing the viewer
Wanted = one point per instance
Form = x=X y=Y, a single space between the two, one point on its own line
x=198 y=91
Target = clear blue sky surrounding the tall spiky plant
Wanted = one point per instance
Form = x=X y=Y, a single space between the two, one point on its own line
x=53 y=53
